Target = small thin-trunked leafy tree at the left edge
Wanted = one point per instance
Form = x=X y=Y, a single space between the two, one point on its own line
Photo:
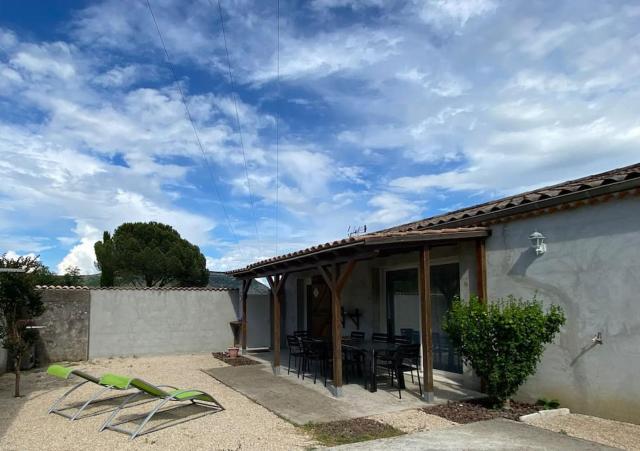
x=19 y=304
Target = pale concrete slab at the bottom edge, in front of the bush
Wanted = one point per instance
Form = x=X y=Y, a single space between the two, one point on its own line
x=499 y=434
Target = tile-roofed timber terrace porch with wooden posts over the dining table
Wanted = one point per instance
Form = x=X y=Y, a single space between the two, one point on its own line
x=334 y=263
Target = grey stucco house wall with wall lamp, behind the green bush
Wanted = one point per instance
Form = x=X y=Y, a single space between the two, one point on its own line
x=591 y=269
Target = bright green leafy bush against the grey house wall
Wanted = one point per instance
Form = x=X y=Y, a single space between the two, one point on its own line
x=503 y=341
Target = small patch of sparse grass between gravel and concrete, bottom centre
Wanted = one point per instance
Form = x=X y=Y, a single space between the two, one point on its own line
x=350 y=431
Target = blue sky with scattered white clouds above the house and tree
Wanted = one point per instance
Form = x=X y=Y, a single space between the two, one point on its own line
x=388 y=112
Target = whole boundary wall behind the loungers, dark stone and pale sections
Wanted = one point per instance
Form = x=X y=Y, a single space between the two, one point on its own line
x=82 y=323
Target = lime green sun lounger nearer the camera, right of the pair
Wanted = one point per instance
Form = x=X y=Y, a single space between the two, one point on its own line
x=194 y=396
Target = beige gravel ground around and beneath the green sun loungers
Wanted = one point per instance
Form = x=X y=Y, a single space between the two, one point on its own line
x=25 y=424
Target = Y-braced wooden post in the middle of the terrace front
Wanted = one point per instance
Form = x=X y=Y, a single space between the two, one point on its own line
x=336 y=283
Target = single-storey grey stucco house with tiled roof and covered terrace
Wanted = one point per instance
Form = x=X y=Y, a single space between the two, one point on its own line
x=586 y=259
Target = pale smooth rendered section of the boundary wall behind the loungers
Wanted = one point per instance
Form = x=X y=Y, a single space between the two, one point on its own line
x=147 y=322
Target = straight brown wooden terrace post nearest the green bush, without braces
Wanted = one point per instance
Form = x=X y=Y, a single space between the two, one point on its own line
x=425 y=322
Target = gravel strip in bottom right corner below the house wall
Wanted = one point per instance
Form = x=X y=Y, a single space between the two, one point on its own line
x=607 y=432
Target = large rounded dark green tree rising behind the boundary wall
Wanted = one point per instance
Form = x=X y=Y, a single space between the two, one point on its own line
x=153 y=254
